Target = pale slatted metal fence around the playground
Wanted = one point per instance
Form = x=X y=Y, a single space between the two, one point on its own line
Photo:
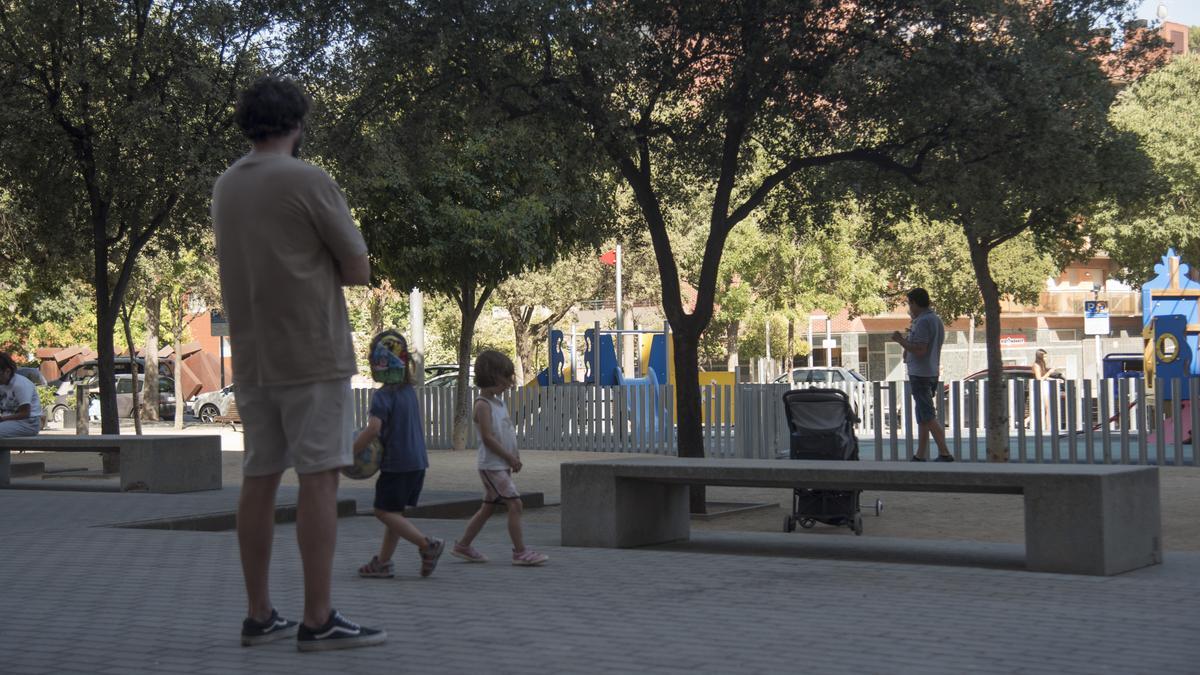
x=1049 y=422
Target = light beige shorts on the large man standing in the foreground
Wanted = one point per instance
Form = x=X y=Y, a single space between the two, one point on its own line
x=308 y=427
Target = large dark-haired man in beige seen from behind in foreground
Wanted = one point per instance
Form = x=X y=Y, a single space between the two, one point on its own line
x=286 y=246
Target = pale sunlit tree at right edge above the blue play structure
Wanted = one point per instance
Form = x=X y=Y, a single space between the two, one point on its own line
x=1163 y=110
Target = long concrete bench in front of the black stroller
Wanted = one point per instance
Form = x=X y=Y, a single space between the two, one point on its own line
x=1079 y=519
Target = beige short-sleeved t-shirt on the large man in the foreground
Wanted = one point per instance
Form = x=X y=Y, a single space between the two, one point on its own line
x=283 y=230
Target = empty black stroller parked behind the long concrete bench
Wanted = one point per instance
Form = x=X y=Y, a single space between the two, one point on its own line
x=823 y=423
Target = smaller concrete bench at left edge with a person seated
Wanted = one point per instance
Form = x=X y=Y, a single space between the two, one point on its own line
x=155 y=464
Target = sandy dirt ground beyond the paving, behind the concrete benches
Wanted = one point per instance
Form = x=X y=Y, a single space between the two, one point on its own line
x=917 y=516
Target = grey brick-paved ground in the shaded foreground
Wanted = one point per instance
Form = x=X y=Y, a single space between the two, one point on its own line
x=85 y=598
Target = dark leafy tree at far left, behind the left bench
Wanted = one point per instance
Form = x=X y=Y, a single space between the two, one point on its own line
x=115 y=118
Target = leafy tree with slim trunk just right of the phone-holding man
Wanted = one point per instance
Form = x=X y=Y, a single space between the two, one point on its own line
x=1029 y=150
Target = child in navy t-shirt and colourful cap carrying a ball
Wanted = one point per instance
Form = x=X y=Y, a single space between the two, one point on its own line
x=397 y=421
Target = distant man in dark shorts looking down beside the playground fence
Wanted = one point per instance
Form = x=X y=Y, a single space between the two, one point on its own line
x=923 y=356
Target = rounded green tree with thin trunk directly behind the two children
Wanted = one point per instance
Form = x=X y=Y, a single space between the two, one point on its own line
x=455 y=196
